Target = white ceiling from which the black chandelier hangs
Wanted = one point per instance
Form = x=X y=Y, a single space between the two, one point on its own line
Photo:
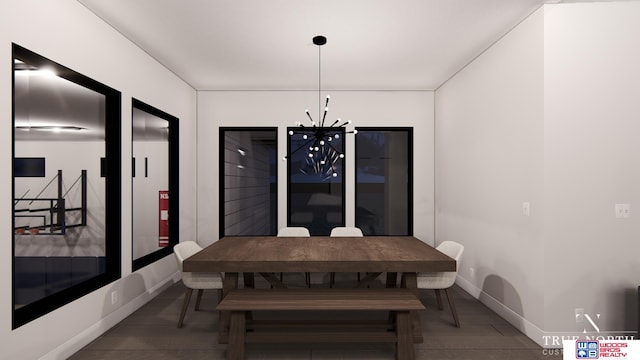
x=267 y=44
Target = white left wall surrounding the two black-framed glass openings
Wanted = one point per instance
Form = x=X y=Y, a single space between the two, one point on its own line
x=66 y=32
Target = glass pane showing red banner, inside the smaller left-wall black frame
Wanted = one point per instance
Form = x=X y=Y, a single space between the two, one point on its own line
x=150 y=150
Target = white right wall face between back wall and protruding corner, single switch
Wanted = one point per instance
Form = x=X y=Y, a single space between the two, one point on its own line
x=489 y=160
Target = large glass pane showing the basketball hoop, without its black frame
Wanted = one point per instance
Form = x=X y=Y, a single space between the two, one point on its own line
x=59 y=188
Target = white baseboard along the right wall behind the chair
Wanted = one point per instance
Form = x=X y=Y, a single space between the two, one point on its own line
x=525 y=326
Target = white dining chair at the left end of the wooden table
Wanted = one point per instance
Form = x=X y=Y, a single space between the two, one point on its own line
x=194 y=281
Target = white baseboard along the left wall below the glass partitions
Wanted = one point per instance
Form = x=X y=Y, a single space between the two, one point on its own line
x=83 y=339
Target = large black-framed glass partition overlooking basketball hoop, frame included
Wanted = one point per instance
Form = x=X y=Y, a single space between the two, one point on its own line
x=66 y=185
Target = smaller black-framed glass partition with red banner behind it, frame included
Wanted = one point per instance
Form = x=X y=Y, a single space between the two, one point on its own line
x=155 y=177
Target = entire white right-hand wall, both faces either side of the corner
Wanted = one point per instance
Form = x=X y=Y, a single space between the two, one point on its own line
x=548 y=115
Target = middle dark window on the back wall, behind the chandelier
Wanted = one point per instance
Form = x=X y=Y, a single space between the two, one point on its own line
x=316 y=176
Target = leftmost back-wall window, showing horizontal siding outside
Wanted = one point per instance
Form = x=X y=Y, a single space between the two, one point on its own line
x=249 y=176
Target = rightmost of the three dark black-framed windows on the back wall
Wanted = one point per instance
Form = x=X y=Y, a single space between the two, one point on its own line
x=384 y=181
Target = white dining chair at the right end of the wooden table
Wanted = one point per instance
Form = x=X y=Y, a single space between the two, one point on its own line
x=443 y=280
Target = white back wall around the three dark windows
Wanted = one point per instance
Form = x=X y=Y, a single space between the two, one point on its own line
x=284 y=108
